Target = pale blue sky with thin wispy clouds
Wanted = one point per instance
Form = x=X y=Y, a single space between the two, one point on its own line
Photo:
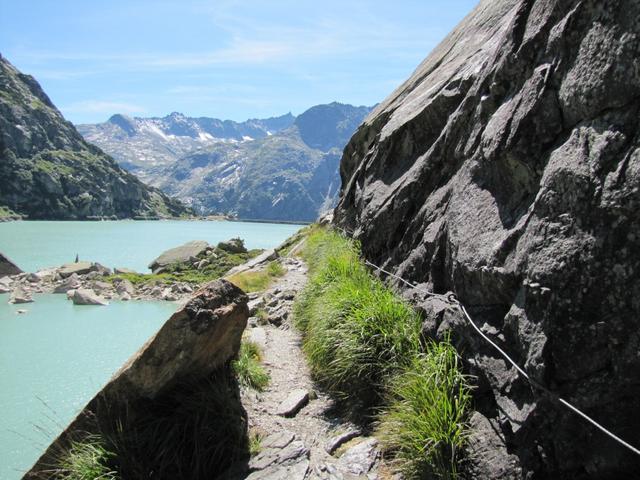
x=223 y=58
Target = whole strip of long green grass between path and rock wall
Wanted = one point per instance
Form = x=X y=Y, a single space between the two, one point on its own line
x=364 y=345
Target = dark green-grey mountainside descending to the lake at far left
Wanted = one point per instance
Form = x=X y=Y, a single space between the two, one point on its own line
x=47 y=170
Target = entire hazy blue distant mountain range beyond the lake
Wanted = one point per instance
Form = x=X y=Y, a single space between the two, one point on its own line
x=281 y=168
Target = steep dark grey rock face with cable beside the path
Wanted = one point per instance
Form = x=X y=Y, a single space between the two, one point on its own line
x=507 y=170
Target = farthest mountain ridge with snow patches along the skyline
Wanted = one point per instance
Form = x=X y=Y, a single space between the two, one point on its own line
x=139 y=144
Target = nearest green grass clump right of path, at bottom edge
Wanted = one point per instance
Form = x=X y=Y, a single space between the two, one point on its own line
x=424 y=424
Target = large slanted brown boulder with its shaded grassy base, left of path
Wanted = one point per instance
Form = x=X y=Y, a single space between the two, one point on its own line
x=178 y=384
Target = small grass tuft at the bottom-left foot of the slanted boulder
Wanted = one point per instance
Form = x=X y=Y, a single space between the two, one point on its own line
x=87 y=460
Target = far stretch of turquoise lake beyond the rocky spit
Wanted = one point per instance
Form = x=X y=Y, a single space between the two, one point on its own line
x=127 y=243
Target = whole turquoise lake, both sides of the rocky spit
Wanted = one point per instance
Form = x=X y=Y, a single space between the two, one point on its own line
x=56 y=356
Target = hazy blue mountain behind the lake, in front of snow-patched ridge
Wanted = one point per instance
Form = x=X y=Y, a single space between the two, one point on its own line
x=291 y=175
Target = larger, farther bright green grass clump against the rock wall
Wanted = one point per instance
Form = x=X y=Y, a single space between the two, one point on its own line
x=357 y=332
